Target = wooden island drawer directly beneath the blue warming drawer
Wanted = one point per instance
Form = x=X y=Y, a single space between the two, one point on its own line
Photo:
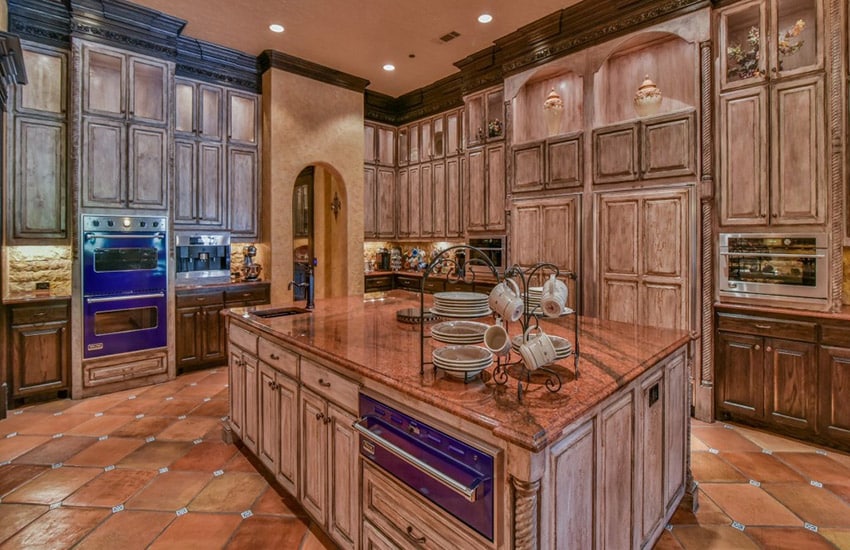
x=408 y=518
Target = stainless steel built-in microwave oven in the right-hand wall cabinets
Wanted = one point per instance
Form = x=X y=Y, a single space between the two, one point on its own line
x=773 y=266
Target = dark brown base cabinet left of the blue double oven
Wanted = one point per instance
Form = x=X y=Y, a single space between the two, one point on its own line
x=39 y=350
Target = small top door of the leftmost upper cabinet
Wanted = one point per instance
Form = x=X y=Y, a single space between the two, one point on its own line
x=47 y=75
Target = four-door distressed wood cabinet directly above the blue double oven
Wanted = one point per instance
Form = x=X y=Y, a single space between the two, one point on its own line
x=126 y=128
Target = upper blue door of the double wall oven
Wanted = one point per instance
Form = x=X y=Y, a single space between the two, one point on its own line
x=123 y=262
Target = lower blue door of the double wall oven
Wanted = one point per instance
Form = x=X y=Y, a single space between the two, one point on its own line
x=120 y=324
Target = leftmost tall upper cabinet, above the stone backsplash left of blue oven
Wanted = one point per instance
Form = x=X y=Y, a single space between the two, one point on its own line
x=37 y=159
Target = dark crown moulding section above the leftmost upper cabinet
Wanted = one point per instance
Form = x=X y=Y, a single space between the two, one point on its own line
x=42 y=21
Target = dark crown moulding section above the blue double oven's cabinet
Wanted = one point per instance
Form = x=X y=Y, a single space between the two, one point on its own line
x=126 y=25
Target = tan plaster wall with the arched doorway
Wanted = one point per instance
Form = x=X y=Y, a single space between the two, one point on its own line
x=307 y=122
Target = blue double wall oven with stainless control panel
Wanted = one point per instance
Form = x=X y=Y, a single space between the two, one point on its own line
x=125 y=283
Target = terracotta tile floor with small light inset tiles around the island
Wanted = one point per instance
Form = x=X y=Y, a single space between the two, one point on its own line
x=147 y=468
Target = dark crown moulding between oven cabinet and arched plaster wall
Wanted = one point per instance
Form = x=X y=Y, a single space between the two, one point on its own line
x=210 y=62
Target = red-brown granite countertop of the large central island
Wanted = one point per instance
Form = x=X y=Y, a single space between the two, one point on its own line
x=365 y=337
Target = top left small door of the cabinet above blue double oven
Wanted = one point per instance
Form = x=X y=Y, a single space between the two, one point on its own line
x=104 y=74
